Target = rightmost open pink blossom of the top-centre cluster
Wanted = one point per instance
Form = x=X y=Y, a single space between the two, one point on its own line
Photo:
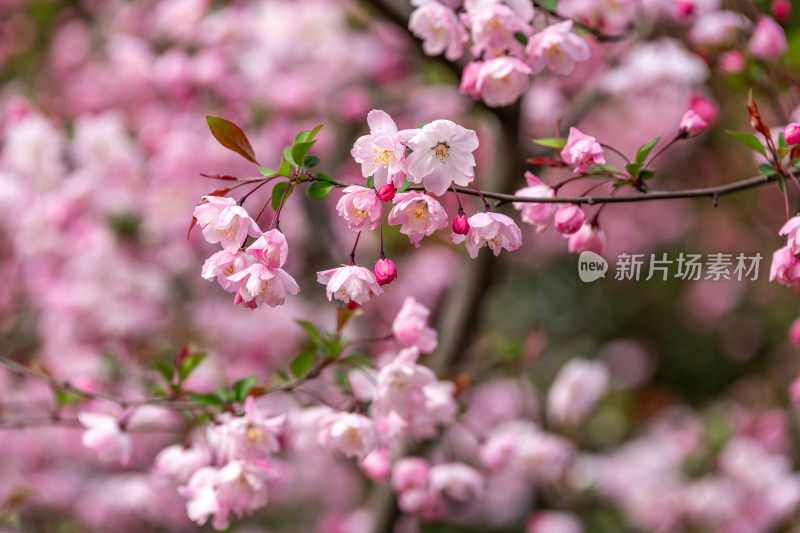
x=557 y=48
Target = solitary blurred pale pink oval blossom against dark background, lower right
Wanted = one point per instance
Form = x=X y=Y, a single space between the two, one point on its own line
x=576 y=390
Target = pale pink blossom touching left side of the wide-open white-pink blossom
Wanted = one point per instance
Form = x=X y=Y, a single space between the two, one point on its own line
x=381 y=154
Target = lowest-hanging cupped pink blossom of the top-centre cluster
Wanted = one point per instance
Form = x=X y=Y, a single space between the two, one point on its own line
x=502 y=80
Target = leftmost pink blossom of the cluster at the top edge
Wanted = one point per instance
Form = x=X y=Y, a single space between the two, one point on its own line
x=439 y=28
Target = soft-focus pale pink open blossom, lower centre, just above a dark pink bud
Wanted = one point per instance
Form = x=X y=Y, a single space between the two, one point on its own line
x=351 y=434
